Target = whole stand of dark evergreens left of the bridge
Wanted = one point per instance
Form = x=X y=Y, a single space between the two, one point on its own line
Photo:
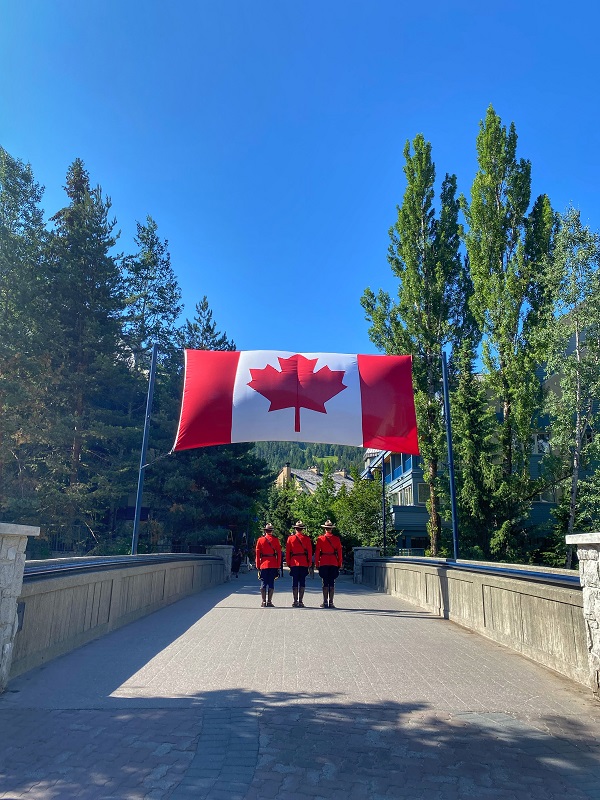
x=77 y=325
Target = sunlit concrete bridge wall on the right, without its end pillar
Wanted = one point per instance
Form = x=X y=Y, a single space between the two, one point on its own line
x=540 y=620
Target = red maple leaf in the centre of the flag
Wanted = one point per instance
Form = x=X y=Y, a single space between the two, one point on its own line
x=297 y=385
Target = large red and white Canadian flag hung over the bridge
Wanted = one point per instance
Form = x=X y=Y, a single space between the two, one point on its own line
x=268 y=395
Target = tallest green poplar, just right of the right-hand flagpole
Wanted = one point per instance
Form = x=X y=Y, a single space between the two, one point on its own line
x=507 y=246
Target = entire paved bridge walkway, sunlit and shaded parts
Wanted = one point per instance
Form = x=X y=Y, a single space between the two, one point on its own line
x=214 y=698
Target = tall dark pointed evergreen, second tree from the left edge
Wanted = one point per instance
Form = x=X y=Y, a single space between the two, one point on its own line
x=89 y=375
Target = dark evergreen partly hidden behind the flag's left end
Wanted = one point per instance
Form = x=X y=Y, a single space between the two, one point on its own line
x=197 y=496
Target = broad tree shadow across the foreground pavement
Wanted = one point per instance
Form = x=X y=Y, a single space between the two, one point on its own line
x=251 y=745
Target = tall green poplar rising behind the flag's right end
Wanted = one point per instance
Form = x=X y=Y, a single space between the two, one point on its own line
x=429 y=311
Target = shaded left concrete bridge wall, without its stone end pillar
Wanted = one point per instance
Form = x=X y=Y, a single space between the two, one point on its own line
x=59 y=612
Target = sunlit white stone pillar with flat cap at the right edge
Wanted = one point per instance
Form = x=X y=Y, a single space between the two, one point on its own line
x=588 y=553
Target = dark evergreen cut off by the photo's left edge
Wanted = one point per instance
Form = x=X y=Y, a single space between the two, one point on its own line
x=22 y=334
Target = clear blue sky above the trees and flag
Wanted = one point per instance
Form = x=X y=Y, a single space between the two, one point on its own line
x=265 y=137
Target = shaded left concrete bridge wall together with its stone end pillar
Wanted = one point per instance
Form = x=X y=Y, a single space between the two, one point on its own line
x=50 y=607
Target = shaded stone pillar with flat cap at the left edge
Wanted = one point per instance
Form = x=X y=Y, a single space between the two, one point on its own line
x=13 y=540
